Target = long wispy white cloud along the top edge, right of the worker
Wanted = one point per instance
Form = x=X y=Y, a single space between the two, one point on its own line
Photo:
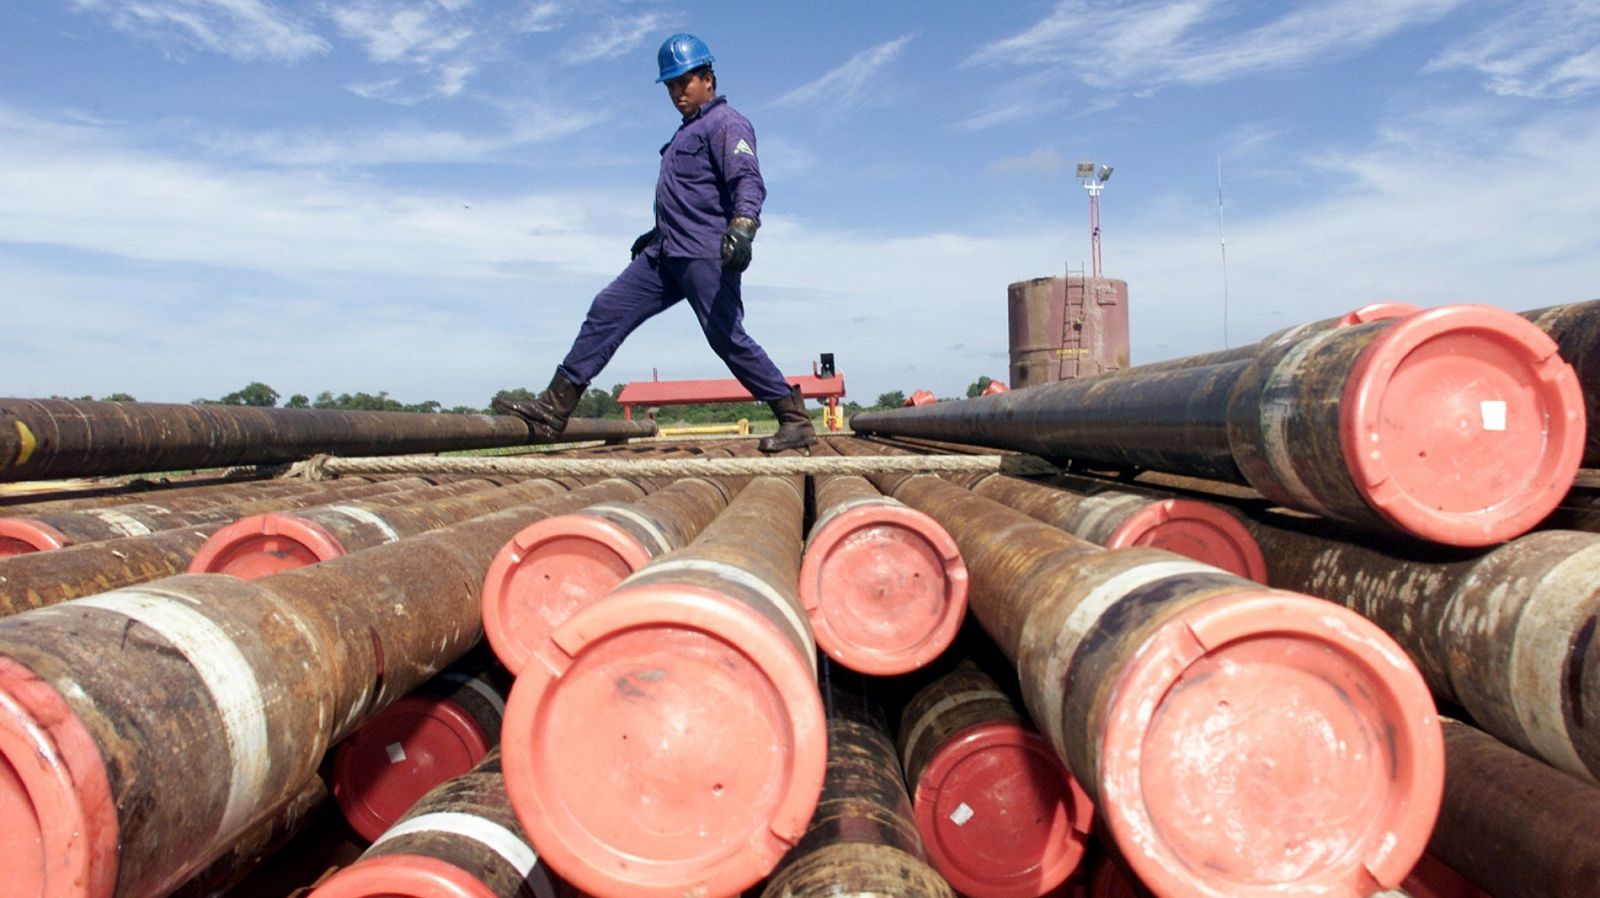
x=1164 y=42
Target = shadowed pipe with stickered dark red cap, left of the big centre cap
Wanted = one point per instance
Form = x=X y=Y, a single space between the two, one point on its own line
x=439 y=732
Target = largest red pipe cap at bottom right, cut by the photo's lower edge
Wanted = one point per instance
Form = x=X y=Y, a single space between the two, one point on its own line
x=1268 y=744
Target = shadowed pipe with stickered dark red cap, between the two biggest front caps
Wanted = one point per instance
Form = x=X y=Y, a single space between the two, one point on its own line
x=998 y=811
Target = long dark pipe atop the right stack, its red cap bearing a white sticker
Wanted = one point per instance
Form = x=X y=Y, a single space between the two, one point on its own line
x=1460 y=425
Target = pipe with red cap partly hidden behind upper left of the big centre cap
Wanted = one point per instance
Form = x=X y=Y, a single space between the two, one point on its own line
x=553 y=569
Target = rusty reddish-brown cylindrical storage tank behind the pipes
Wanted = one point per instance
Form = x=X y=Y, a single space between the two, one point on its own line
x=1066 y=327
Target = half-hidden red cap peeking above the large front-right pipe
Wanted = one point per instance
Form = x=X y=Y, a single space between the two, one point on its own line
x=1196 y=531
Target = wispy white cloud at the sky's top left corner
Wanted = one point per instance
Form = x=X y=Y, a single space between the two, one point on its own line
x=242 y=30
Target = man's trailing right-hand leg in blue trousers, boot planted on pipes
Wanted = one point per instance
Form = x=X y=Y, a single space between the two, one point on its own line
x=719 y=305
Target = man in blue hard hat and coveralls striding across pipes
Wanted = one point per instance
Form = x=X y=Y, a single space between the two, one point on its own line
x=708 y=210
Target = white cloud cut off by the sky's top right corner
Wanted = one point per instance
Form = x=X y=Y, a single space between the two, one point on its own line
x=1537 y=50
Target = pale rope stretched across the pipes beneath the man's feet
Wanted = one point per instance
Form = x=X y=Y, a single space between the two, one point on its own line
x=322 y=467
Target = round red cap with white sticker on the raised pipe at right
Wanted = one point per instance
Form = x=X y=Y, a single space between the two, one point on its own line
x=1463 y=425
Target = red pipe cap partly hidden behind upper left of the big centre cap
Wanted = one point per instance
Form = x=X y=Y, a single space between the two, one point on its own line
x=546 y=574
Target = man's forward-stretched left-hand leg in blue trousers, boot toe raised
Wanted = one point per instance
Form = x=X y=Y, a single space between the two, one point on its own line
x=631 y=300
